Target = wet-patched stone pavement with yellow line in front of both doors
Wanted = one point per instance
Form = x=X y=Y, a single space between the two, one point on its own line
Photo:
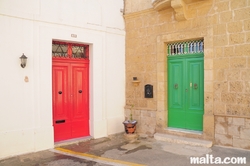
x=118 y=150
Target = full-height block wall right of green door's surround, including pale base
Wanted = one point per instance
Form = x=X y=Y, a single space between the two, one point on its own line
x=231 y=70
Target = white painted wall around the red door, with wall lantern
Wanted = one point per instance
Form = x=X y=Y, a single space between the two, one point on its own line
x=28 y=27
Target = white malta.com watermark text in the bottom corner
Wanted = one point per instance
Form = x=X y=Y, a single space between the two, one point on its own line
x=210 y=159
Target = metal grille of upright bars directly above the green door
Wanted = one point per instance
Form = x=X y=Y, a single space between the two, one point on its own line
x=187 y=47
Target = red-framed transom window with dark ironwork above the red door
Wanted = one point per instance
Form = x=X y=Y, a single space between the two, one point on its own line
x=69 y=50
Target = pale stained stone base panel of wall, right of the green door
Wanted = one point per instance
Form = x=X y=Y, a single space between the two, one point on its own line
x=232 y=131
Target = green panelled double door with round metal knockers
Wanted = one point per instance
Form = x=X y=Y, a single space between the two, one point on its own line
x=186 y=92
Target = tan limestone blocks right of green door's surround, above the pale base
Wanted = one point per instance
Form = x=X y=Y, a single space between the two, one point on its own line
x=231 y=66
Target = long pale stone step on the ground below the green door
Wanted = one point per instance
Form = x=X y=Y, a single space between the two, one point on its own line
x=183 y=140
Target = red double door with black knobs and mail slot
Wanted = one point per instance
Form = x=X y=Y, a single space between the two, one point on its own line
x=70 y=88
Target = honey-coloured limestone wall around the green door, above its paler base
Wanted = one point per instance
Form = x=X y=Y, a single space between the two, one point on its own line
x=225 y=27
